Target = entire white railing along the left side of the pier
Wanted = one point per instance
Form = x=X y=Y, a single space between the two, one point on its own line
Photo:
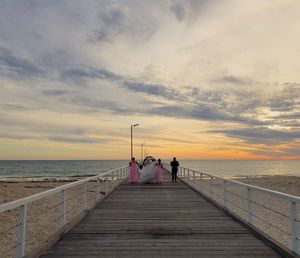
x=28 y=224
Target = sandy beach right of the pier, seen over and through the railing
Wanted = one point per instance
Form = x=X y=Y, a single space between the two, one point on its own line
x=269 y=213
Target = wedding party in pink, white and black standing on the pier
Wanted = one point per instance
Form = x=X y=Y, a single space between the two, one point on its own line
x=150 y=170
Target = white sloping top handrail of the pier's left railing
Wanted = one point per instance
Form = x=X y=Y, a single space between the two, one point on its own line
x=26 y=200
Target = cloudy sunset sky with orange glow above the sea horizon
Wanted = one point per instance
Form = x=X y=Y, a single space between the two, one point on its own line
x=205 y=79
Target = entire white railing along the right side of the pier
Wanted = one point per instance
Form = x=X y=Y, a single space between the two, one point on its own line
x=275 y=214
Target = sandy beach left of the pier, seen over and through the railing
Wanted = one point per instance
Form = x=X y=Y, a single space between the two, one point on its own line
x=43 y=216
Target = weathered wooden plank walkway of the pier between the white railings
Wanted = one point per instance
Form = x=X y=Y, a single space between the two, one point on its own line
x=149 y=220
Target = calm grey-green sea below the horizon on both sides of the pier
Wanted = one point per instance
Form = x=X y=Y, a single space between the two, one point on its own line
x=45 y=169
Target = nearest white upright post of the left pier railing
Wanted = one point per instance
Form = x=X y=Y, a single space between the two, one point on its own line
x=21 y=230
